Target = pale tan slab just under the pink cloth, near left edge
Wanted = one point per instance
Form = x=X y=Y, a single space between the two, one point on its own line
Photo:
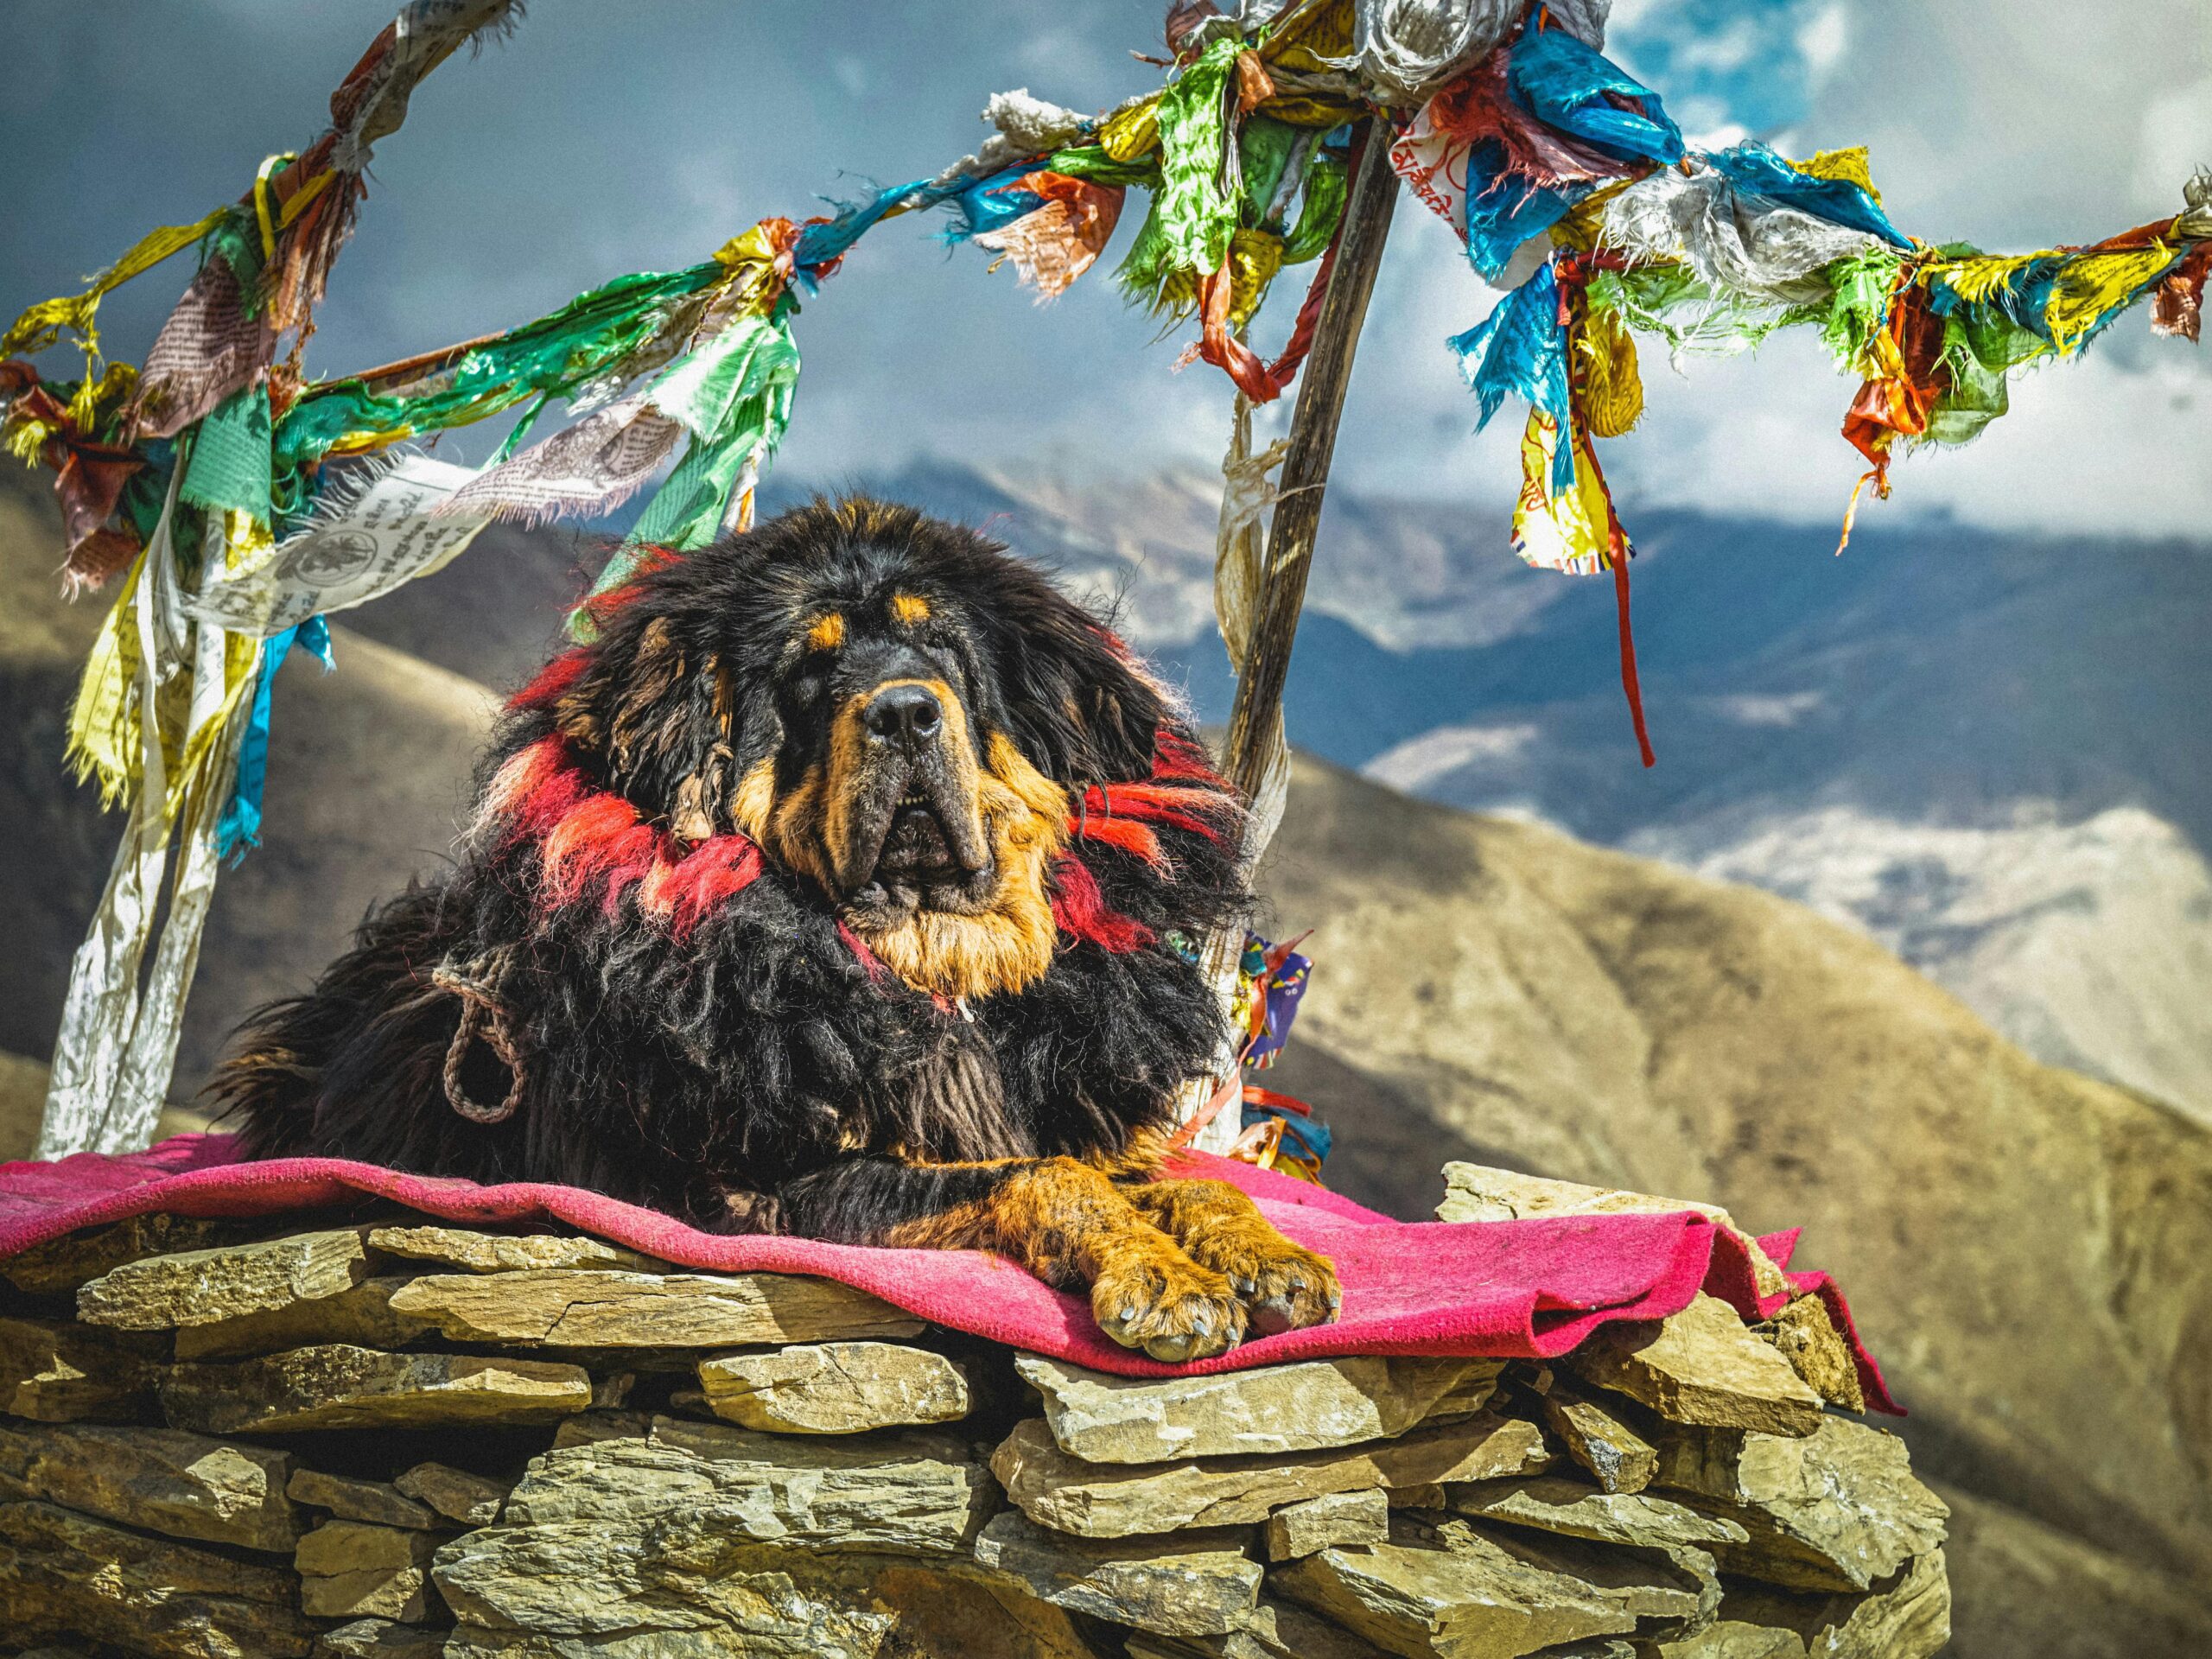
x=207 y=1286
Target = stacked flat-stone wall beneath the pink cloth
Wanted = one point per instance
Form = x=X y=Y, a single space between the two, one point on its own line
x=417 y=1441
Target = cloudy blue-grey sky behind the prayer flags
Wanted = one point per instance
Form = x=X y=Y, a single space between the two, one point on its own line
x=640 y=134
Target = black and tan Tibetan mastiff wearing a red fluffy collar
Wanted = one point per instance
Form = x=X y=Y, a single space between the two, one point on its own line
x=851 y=884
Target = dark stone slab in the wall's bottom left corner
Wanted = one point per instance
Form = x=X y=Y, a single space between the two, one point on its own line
x=90 y=1580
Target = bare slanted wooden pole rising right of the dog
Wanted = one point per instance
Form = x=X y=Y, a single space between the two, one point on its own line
x=1306 y=468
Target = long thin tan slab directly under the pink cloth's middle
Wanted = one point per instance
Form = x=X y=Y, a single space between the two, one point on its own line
x=605 y=1308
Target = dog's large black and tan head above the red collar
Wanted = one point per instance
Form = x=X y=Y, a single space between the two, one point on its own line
x=888 y=707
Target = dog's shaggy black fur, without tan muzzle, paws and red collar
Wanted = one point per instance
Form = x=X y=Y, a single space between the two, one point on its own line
x=760 y=1074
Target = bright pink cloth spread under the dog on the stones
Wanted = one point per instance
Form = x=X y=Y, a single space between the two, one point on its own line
x=1505 y=1288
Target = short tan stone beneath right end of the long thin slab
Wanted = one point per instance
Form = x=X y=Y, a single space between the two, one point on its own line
x=835 y=1388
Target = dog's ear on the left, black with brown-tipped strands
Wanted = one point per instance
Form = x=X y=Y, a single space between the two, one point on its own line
x=667 y=727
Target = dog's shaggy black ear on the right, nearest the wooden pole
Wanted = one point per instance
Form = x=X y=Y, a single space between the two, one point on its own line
x=1070 y=691
